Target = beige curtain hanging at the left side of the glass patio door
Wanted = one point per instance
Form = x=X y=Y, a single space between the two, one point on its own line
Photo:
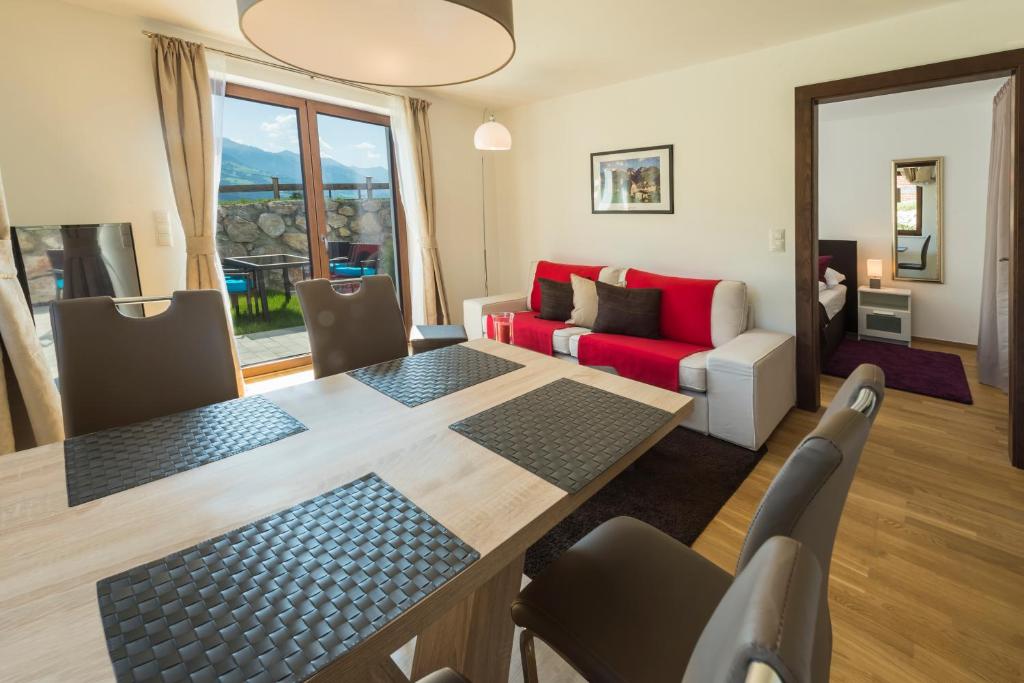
x=185 y=96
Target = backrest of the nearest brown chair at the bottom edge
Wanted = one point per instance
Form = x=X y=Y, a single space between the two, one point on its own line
x=767 y=619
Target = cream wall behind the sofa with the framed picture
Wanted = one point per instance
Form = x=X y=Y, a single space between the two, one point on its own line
x=733 y=125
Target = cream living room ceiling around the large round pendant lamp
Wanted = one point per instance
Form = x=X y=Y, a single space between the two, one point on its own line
x=572 y=46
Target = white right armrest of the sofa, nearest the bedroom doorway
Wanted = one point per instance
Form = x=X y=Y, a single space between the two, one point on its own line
x=752 y=385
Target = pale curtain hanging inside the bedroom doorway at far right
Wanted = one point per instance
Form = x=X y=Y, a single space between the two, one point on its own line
x=994 y=332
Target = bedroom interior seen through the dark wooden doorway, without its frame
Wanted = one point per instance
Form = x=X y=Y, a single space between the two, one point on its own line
x=905 y=186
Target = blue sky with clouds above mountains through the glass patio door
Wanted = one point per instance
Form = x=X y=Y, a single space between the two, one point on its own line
x=273 y=129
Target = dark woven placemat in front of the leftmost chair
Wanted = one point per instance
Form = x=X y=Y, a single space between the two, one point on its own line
x=114 y=460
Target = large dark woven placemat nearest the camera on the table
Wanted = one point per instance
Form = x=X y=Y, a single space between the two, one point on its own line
x=281 y=599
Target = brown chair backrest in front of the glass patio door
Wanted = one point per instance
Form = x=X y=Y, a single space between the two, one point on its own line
x=350 y=331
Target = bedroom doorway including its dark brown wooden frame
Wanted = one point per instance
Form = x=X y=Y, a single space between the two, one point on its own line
x=905 y=203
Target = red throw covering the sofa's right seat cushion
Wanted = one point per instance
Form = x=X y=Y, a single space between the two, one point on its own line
x=650 y=361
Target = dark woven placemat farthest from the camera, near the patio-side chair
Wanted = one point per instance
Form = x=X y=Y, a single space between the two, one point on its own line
x=418 y=379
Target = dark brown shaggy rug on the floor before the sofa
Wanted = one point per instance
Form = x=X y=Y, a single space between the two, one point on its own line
x=678 y=487
